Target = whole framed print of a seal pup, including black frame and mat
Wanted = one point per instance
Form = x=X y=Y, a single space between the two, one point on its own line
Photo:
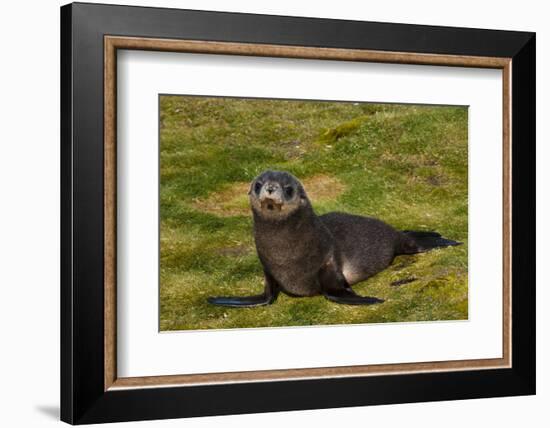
x=265 y=213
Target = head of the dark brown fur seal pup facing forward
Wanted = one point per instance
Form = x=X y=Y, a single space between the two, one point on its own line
x=275 y=195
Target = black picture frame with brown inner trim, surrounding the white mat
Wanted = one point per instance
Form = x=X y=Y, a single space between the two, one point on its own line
x=91 y=391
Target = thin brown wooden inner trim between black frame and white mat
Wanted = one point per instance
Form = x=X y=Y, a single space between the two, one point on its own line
x=112 y=43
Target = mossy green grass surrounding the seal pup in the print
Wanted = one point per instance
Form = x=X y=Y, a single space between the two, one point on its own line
x=406 y=165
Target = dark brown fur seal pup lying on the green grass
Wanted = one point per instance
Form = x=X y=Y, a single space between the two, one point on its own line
x=303 y=254
